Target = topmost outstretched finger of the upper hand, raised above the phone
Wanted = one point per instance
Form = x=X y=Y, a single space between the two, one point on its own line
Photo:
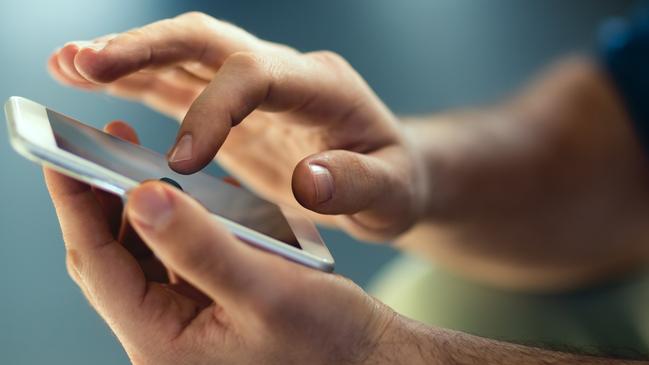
x=189 y=37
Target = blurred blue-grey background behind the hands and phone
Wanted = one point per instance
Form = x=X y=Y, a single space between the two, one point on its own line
x=419 y=55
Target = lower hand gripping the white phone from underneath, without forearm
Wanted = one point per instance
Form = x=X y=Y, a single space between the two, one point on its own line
x=225 y=302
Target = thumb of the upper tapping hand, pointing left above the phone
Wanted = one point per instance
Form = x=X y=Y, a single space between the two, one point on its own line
x=374 y=188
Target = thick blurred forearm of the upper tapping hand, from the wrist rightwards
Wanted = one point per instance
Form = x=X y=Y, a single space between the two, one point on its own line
x=513 y=188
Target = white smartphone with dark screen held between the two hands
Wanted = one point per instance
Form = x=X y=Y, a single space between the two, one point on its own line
x=109 y=163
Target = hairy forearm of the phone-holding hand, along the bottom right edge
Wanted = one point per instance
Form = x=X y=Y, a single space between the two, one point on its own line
x=409 y=342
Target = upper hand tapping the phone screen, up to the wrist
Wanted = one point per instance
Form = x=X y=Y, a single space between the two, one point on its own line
x=305 y=120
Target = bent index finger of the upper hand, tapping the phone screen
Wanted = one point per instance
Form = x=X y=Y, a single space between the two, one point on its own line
x=301 y=83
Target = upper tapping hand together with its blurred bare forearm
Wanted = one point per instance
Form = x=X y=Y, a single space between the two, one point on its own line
x=523 y=191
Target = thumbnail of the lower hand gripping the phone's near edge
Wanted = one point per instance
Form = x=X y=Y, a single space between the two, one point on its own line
x=150 y=207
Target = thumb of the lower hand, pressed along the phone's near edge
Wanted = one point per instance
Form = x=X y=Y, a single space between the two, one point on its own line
x=190 y=242
